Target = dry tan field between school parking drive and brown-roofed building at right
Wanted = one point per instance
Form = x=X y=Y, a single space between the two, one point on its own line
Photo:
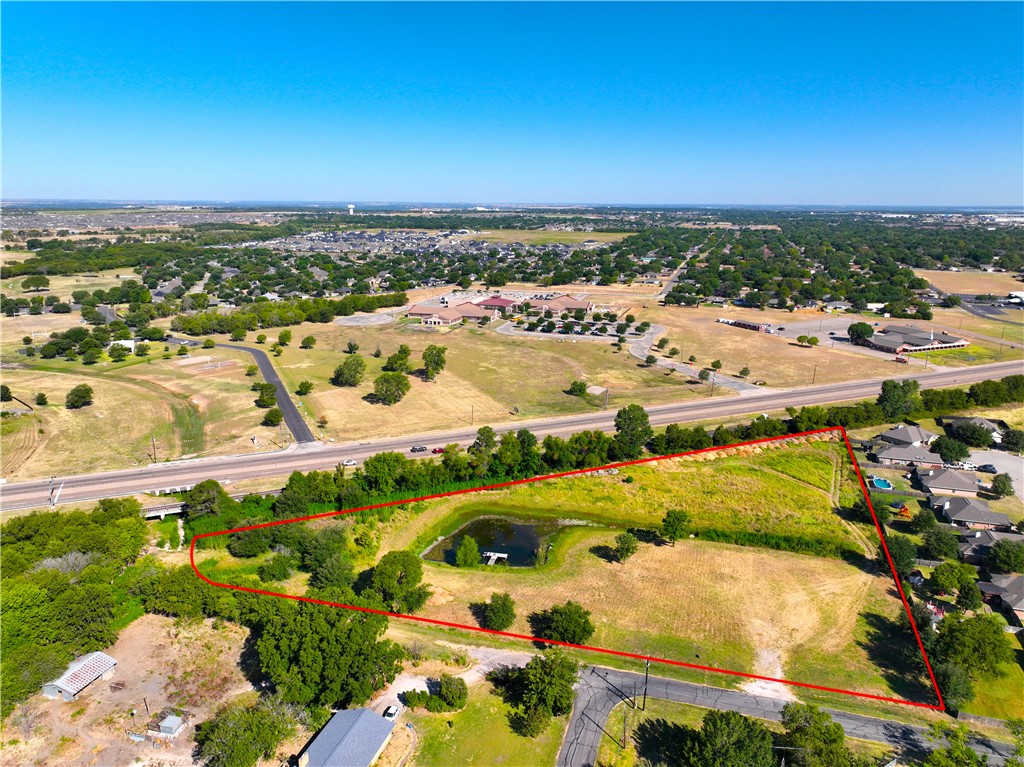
x=778 y=361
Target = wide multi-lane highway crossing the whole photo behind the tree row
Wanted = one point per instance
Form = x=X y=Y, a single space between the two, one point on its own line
x=308 y=457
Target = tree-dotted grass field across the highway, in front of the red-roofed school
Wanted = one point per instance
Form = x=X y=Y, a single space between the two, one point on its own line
x=488 y=377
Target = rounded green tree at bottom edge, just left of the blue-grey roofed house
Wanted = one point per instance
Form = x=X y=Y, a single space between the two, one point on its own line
x=241 y=737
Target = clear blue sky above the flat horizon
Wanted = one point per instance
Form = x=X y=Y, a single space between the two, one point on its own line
x=915 y=104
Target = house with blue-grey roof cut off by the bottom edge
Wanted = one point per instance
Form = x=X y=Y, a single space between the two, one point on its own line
x=351 y=739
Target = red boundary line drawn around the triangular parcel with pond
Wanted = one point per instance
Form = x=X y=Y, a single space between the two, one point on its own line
x=621 y=654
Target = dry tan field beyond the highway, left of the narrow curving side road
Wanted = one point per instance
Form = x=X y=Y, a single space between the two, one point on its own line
x=186 y=410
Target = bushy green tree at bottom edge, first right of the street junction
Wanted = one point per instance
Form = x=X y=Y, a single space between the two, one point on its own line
x=730 y=740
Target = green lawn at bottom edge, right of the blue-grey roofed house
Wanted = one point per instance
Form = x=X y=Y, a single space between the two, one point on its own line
x=480 y=735
